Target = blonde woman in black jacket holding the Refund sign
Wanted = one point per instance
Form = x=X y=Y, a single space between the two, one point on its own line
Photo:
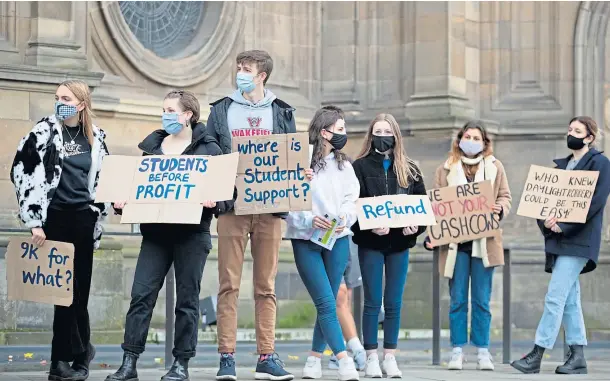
x=383 y=168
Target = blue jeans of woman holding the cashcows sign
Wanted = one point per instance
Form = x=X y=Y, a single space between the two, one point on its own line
x=467 y=268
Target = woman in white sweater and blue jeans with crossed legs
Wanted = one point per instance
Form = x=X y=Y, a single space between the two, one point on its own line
x=335 y=190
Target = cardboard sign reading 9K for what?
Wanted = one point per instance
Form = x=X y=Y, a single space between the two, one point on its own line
x=40 y=274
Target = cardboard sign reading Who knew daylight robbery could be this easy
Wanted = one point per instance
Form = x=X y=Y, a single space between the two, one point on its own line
x=551 y=192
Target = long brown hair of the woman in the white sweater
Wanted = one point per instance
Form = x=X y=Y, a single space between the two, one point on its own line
x=325 y=118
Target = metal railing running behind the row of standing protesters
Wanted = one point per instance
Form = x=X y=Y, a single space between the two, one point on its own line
x=357 y=303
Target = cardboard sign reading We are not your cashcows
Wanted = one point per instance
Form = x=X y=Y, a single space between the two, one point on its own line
x=463 y=213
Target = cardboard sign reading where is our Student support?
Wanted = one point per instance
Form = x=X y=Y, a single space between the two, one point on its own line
x=271 y=174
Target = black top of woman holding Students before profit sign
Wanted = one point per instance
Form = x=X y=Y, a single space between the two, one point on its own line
x=203 y=144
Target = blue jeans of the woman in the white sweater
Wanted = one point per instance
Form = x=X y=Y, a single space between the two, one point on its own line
x=321 y=271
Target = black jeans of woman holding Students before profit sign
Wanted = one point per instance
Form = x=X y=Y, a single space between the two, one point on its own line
x=188 y=254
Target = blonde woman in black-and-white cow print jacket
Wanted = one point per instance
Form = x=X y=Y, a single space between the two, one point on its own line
x=55 y=173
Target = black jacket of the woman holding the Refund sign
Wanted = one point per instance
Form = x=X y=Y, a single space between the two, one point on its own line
x=373 y=183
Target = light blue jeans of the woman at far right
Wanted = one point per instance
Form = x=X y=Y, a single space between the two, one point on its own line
x=562 y=302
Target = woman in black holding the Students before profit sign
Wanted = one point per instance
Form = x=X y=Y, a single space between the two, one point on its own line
x=186 y=246
